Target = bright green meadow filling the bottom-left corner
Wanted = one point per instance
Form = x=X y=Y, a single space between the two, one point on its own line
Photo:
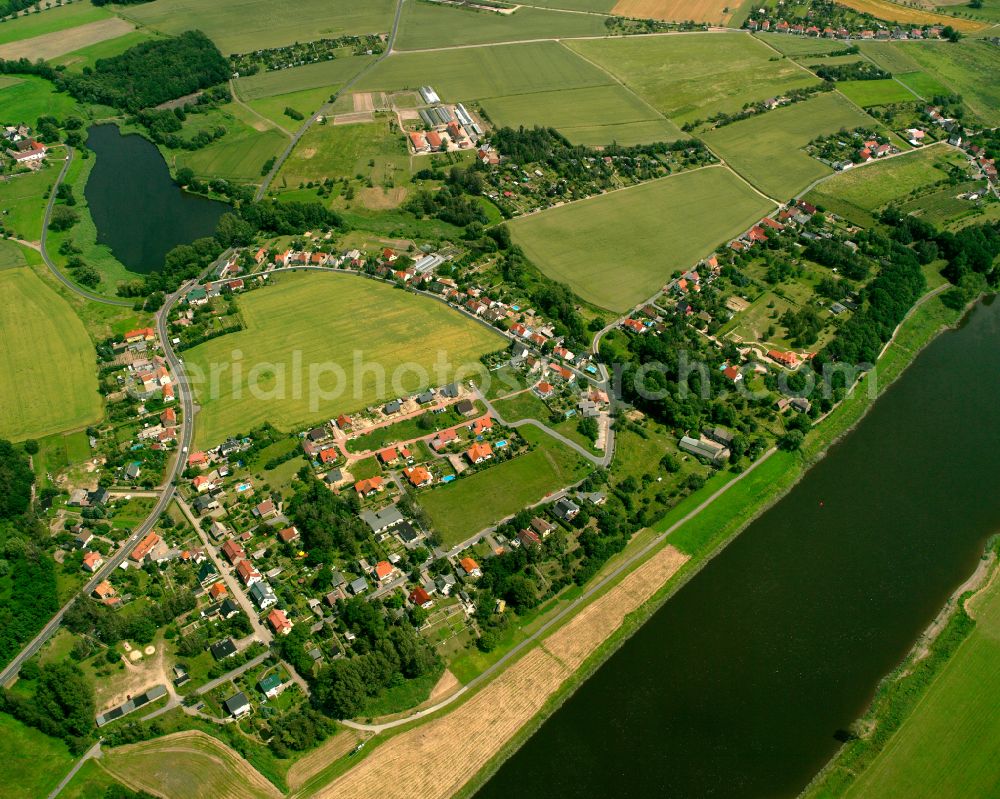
x=23 y=752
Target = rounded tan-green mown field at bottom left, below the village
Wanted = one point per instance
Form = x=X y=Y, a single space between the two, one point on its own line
x=187 y=765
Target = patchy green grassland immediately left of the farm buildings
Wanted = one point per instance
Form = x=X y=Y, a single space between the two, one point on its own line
x=333 y=151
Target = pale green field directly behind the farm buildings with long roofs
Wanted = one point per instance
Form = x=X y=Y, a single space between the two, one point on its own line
x=473 y=73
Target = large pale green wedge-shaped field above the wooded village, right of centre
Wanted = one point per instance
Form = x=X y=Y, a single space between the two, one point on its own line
x=618 y=249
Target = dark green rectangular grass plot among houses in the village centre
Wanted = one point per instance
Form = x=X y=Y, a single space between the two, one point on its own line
x=466 y=506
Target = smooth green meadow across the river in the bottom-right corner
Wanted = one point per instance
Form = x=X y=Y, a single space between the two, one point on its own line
x=950 y=744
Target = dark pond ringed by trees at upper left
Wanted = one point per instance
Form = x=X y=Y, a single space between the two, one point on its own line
x=139 y=212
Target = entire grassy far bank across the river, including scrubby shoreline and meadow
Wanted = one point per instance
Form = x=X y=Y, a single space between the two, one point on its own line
x=878 y=737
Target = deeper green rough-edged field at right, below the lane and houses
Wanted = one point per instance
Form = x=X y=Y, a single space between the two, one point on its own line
x=857 y=193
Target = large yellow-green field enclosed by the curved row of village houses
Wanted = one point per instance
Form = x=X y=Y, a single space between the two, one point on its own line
x=327 y=318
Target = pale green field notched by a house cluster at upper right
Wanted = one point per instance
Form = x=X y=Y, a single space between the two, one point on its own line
x=766 y=150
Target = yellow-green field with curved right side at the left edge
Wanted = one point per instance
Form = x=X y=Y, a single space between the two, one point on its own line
x=48 y=372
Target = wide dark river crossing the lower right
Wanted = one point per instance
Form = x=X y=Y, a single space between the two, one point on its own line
x=739 y=684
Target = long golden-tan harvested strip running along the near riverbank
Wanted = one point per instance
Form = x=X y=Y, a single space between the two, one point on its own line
x=422 y=760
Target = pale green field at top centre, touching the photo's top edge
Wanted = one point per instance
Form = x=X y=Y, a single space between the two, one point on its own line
x=424 y=25
